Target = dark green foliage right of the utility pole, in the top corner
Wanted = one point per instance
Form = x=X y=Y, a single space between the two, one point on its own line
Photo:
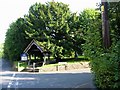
x=114 y=18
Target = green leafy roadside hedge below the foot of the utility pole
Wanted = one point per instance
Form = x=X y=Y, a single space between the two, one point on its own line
x=105 y=67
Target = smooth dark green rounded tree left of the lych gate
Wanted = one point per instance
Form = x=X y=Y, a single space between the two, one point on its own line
x=15 y=41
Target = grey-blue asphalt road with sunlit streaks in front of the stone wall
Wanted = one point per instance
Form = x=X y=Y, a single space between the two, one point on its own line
x=68 y=79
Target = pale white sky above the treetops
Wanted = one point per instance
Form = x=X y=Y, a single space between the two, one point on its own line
x=10 y=10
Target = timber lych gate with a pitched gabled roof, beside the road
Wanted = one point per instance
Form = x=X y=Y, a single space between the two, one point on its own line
x=36 y=54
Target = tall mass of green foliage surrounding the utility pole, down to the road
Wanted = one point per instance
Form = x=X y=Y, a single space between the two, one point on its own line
x=105 y=63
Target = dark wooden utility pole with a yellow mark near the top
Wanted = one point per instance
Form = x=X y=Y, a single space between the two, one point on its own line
x=105 y=24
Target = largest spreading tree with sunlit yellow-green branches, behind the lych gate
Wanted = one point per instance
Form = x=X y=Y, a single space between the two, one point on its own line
x=54 y=23
